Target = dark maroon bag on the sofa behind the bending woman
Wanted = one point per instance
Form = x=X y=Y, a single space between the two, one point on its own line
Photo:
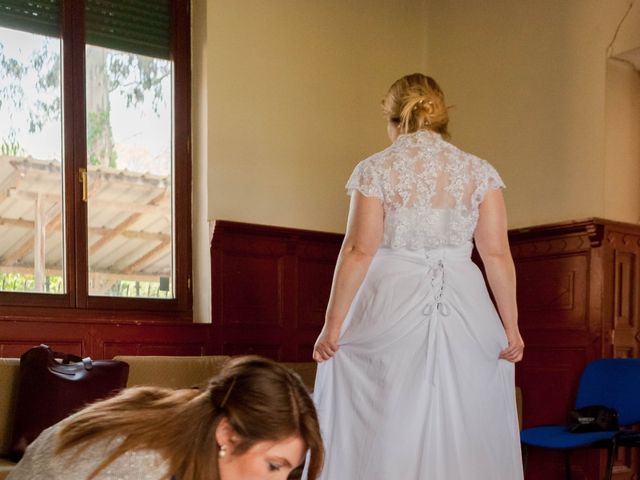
x=53 y=385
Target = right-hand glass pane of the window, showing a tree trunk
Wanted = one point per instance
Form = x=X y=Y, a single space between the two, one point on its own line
x=129 y=163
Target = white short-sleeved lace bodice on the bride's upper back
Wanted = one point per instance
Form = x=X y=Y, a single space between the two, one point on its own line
x=430 y=190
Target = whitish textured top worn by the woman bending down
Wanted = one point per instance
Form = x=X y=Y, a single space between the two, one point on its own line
x=40 y=462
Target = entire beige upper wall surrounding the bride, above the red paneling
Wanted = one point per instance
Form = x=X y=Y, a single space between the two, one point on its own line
x=286 y=102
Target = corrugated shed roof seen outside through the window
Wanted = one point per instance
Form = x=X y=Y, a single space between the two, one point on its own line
x=129 y=221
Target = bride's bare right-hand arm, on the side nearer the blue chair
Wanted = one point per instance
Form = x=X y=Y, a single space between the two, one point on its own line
x=493 y=245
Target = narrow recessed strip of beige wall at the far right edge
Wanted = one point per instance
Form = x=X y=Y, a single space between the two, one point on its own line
x=622 y=172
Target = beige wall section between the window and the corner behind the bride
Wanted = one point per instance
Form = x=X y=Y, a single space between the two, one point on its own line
x=294 y=88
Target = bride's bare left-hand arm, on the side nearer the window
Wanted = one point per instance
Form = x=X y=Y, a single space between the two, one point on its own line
x=363 y=236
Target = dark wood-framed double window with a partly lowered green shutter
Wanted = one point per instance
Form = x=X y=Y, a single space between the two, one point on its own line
x=94 y=154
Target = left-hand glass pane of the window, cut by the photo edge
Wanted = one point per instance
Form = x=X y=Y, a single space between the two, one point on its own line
x=31 y=187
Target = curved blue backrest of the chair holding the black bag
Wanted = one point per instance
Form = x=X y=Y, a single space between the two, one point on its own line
x=614 y=382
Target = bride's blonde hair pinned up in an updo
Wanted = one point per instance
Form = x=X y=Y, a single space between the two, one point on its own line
x=416 y=102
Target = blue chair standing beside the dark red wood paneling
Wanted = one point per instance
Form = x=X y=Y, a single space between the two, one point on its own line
x=612 y=382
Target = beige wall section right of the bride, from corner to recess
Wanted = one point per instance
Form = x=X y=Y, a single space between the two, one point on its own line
x=528 y=82
